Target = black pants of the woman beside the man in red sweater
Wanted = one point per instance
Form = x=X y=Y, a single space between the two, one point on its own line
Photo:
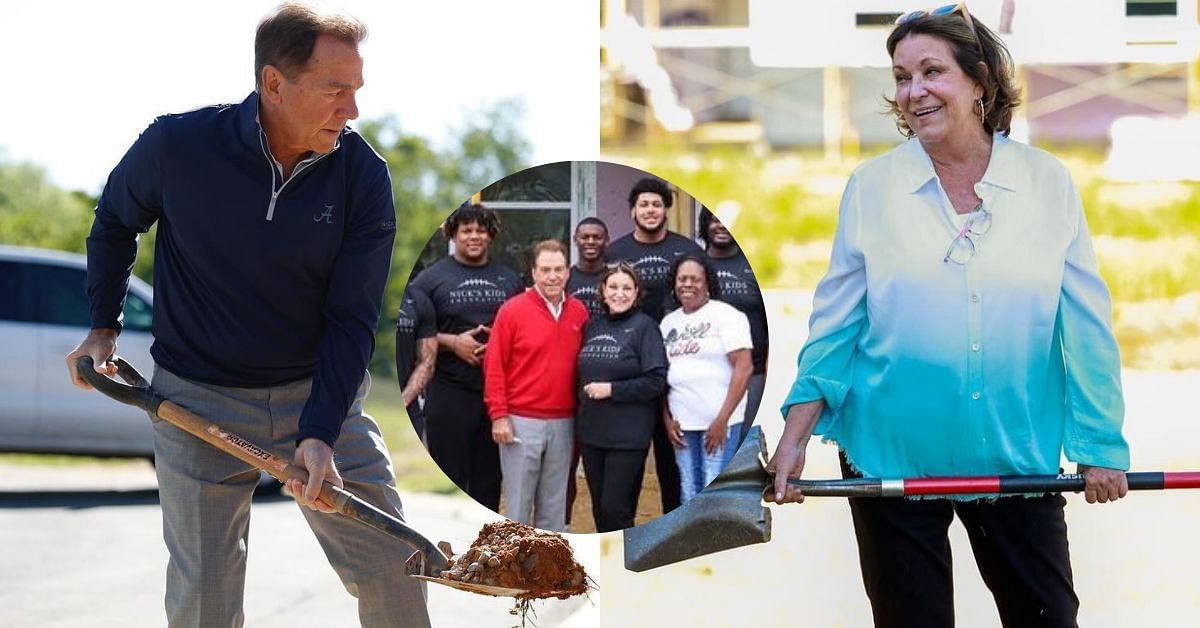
x=615 y=480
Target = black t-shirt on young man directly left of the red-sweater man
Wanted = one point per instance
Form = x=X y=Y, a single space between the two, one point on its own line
x=465 y=297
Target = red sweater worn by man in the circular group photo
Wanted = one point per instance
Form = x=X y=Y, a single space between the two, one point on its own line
x=531 y=358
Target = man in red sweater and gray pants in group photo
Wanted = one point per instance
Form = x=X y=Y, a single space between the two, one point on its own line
x=530 y=391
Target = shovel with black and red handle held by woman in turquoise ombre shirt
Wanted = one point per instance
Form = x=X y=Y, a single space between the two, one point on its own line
x=730 y=512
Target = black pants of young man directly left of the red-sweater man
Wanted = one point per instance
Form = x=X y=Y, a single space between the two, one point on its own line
x=460 y=439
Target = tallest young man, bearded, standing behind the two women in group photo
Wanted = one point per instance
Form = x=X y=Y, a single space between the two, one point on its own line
x=651 y=249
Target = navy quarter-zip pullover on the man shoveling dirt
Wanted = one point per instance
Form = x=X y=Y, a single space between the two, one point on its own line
x=259 y=280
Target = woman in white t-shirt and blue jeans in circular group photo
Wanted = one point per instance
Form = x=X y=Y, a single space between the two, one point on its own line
x=709 y=346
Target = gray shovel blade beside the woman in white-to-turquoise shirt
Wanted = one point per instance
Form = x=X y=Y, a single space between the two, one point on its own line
x=728 y=515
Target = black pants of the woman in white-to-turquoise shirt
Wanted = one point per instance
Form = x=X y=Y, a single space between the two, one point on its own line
x=1021 y=546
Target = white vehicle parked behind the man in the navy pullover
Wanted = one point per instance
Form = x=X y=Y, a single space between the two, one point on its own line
x=44 y=315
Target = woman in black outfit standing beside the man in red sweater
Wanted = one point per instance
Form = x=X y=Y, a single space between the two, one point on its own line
x=623 y=374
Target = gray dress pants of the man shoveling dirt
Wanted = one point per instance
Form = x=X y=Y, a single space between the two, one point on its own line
x=207 y=494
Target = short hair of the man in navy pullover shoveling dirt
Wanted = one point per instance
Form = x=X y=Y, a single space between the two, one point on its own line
x=287 y=37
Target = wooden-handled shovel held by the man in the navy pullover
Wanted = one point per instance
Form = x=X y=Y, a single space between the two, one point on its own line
x=427 y=564
